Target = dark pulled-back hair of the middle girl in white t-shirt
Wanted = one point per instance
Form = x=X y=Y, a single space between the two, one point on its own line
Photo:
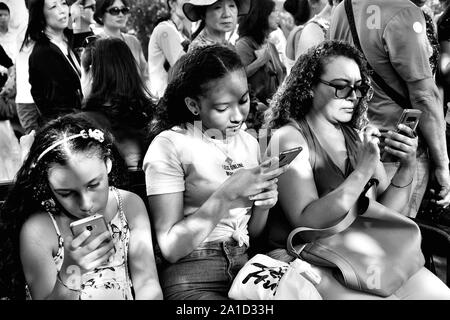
x=188 y=78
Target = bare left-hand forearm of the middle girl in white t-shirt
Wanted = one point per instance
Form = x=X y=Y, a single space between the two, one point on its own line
x=187 y=234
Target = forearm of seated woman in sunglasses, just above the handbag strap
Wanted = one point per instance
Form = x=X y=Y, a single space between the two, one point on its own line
x=332 y=208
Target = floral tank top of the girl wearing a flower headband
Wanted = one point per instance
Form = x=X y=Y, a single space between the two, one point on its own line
x=110 y=281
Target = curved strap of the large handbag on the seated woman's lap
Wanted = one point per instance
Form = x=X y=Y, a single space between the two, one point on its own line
x=311 y=234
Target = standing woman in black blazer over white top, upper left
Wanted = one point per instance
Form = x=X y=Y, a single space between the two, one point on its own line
x=54 y=71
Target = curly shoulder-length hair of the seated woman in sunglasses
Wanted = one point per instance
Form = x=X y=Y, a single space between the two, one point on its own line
x=293 y=100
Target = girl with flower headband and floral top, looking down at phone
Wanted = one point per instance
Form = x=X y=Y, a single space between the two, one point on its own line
x=66 y=178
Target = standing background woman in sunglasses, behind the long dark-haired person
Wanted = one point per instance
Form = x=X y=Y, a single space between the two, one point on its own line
x=113 y=16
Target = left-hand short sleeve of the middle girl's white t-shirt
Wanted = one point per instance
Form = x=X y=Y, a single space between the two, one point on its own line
x=163 y=170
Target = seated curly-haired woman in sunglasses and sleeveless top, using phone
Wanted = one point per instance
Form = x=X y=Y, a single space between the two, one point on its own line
x=321 y=108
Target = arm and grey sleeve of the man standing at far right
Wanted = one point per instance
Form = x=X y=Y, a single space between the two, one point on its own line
x=407 y=45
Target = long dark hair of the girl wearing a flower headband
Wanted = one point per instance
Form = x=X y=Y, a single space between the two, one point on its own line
x=31 y=190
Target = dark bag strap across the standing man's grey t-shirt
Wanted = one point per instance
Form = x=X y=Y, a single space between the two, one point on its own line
x=394 y=95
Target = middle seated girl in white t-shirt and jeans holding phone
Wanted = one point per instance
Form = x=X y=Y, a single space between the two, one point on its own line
x=207 y=190
